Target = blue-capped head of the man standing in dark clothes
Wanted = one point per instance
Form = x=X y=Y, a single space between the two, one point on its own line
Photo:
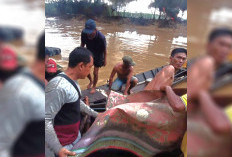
x=90 y=29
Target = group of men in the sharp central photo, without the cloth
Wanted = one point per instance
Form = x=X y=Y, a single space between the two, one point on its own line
x=63 y=94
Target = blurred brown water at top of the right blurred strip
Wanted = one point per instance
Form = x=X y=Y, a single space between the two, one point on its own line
x=203 y=16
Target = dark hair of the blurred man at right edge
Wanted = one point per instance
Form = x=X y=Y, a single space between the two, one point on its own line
x=218 y=32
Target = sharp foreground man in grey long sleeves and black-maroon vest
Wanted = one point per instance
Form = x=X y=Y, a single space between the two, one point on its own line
x=63 y=105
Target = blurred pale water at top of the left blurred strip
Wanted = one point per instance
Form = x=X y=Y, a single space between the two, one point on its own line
x=29 y=16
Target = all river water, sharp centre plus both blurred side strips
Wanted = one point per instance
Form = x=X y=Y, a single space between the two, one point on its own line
x=149 y=46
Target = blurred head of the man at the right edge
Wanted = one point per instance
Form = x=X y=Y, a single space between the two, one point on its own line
x=220 y=44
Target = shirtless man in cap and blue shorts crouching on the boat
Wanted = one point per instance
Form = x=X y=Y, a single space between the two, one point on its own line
x=125 y=75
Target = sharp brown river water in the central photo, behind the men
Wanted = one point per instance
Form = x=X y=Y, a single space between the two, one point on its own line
x=149 y=46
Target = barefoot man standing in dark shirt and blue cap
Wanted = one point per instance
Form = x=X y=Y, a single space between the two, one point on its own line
x=95 y=42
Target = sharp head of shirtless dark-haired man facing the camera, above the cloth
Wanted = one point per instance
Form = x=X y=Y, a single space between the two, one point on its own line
x=178 y=57
